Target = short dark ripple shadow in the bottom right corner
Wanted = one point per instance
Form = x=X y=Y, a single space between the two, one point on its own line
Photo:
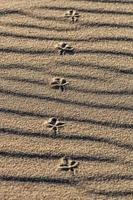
x=113 y=193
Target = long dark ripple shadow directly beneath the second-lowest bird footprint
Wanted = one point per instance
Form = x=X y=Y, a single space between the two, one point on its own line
x=71 y=137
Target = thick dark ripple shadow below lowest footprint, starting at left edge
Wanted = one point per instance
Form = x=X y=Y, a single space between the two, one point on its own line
x=46 y=180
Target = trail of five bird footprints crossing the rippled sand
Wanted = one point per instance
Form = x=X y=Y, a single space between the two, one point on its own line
x=66 y=164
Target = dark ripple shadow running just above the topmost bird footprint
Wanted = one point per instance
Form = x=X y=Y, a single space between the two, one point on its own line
x=94 y=11
